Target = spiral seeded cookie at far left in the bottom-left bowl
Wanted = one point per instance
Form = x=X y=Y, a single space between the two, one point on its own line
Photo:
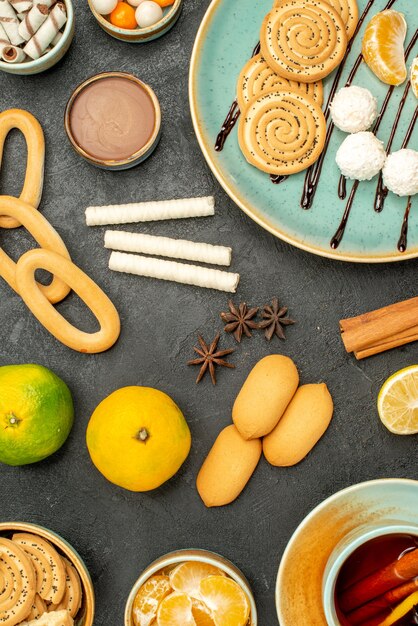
x=18 y=583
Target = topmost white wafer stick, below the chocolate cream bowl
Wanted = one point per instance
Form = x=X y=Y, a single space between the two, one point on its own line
x=150 y=211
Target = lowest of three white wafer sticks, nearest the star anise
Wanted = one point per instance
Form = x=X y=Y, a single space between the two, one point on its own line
x=176 y=272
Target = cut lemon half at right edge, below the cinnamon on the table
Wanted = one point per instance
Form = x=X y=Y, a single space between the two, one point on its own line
x=397 y=402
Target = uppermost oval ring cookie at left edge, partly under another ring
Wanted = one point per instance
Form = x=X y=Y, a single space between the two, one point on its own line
x=35 y=142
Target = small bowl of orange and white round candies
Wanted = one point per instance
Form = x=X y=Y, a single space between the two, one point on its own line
x=136 y=21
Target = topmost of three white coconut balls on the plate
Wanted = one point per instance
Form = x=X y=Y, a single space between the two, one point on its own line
x=353 y=109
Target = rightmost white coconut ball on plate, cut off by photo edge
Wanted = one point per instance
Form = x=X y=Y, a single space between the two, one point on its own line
x=400 y=173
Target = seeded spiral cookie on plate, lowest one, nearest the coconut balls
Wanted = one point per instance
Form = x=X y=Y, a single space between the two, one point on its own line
x=282 y=132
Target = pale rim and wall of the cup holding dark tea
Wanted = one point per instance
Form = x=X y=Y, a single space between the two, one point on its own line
x=344 y=549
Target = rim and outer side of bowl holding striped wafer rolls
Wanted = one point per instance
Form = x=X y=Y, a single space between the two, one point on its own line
x=52 y=57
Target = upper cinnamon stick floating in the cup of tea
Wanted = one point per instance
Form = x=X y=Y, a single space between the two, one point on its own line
x=378 y=583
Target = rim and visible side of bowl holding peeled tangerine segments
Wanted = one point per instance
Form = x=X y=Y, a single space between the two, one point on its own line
x=203 y=556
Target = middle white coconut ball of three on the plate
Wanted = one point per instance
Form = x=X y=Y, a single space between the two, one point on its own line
x=361 y=156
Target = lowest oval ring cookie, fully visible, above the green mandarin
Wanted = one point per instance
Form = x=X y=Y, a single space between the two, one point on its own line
x=91 y=294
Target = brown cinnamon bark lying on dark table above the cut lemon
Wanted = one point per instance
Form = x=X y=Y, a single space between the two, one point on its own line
x=380 y=330
